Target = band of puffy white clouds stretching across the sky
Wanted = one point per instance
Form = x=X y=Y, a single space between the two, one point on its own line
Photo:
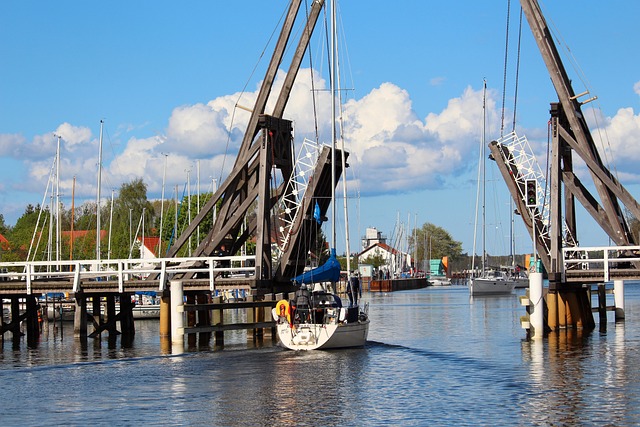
x=392 y=148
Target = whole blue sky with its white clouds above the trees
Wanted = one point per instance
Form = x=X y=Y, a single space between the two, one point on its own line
x=165 y=77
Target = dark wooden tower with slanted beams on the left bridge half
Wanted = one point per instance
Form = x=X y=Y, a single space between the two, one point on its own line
x=267 y=148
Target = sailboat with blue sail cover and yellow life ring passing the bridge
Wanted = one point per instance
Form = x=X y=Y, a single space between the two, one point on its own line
x=316 y=319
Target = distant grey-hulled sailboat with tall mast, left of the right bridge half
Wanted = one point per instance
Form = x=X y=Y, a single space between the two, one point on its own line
x=490 y=281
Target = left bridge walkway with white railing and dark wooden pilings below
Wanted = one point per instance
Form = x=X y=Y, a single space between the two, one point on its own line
x=97 y=288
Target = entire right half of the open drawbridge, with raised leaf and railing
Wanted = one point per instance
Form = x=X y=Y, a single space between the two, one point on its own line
x=547 y=202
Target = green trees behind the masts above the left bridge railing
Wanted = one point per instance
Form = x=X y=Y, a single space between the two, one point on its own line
x=123 y=221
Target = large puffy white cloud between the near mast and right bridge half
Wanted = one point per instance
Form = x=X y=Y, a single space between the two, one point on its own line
x=401 y=153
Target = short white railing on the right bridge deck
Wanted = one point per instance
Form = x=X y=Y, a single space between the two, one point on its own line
x=600 y=258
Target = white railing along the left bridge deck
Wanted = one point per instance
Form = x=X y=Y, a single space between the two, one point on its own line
x=126 y=269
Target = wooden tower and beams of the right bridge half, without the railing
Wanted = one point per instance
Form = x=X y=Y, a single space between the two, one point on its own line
x=567 y=303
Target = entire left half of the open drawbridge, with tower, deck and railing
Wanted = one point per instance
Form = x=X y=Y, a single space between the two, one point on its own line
x=283 y=218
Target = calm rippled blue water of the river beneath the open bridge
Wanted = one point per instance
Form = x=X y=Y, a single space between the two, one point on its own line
x=435 y=357
